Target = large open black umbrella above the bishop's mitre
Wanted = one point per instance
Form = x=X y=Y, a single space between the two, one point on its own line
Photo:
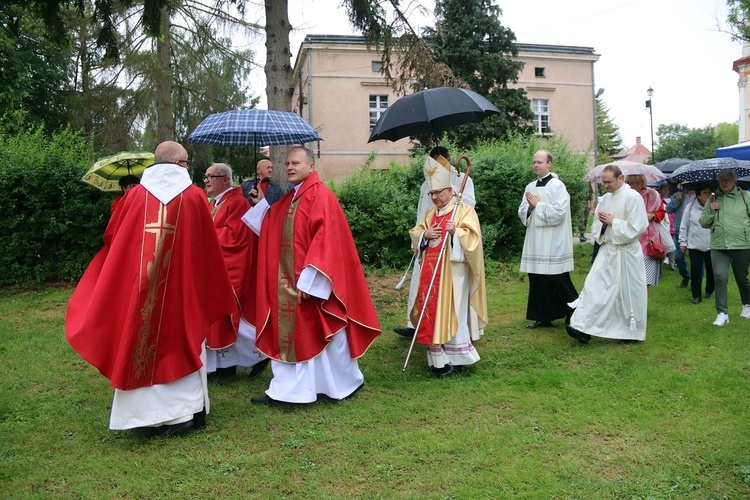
x=431 y=111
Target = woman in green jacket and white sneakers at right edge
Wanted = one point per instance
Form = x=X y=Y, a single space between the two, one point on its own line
x=727 y=215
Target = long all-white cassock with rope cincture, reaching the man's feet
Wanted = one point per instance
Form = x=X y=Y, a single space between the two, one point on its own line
x=613 y=303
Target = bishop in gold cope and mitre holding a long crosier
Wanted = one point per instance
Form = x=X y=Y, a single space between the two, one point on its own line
x=456 y=311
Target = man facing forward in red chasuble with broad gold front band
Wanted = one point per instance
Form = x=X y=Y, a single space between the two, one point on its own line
x=315 y=316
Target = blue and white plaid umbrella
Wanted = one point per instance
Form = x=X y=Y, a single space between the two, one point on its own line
x=253 y=127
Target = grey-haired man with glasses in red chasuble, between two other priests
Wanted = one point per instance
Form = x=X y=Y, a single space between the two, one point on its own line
x=238 y=247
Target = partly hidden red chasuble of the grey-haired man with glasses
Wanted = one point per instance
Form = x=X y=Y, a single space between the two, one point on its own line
x=238 y=247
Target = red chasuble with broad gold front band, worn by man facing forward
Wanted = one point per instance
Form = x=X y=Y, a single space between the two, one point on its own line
x=321 y=239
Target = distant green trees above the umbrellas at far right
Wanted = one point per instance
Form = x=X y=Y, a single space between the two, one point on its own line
x=679 y=141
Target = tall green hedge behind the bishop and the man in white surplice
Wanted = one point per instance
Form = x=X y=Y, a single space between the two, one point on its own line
x=381 y=204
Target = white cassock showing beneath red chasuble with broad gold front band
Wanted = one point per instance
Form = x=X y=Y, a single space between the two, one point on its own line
x=333 y=372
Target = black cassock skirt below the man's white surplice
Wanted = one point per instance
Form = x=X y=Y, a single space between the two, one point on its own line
x=549 y=295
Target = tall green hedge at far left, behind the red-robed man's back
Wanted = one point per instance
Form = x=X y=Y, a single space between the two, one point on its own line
x=52 y=223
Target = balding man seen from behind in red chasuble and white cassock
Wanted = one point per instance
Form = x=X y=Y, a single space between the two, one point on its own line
x=142 y=309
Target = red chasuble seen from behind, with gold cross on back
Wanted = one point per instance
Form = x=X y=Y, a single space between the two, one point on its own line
x=145 y=303
